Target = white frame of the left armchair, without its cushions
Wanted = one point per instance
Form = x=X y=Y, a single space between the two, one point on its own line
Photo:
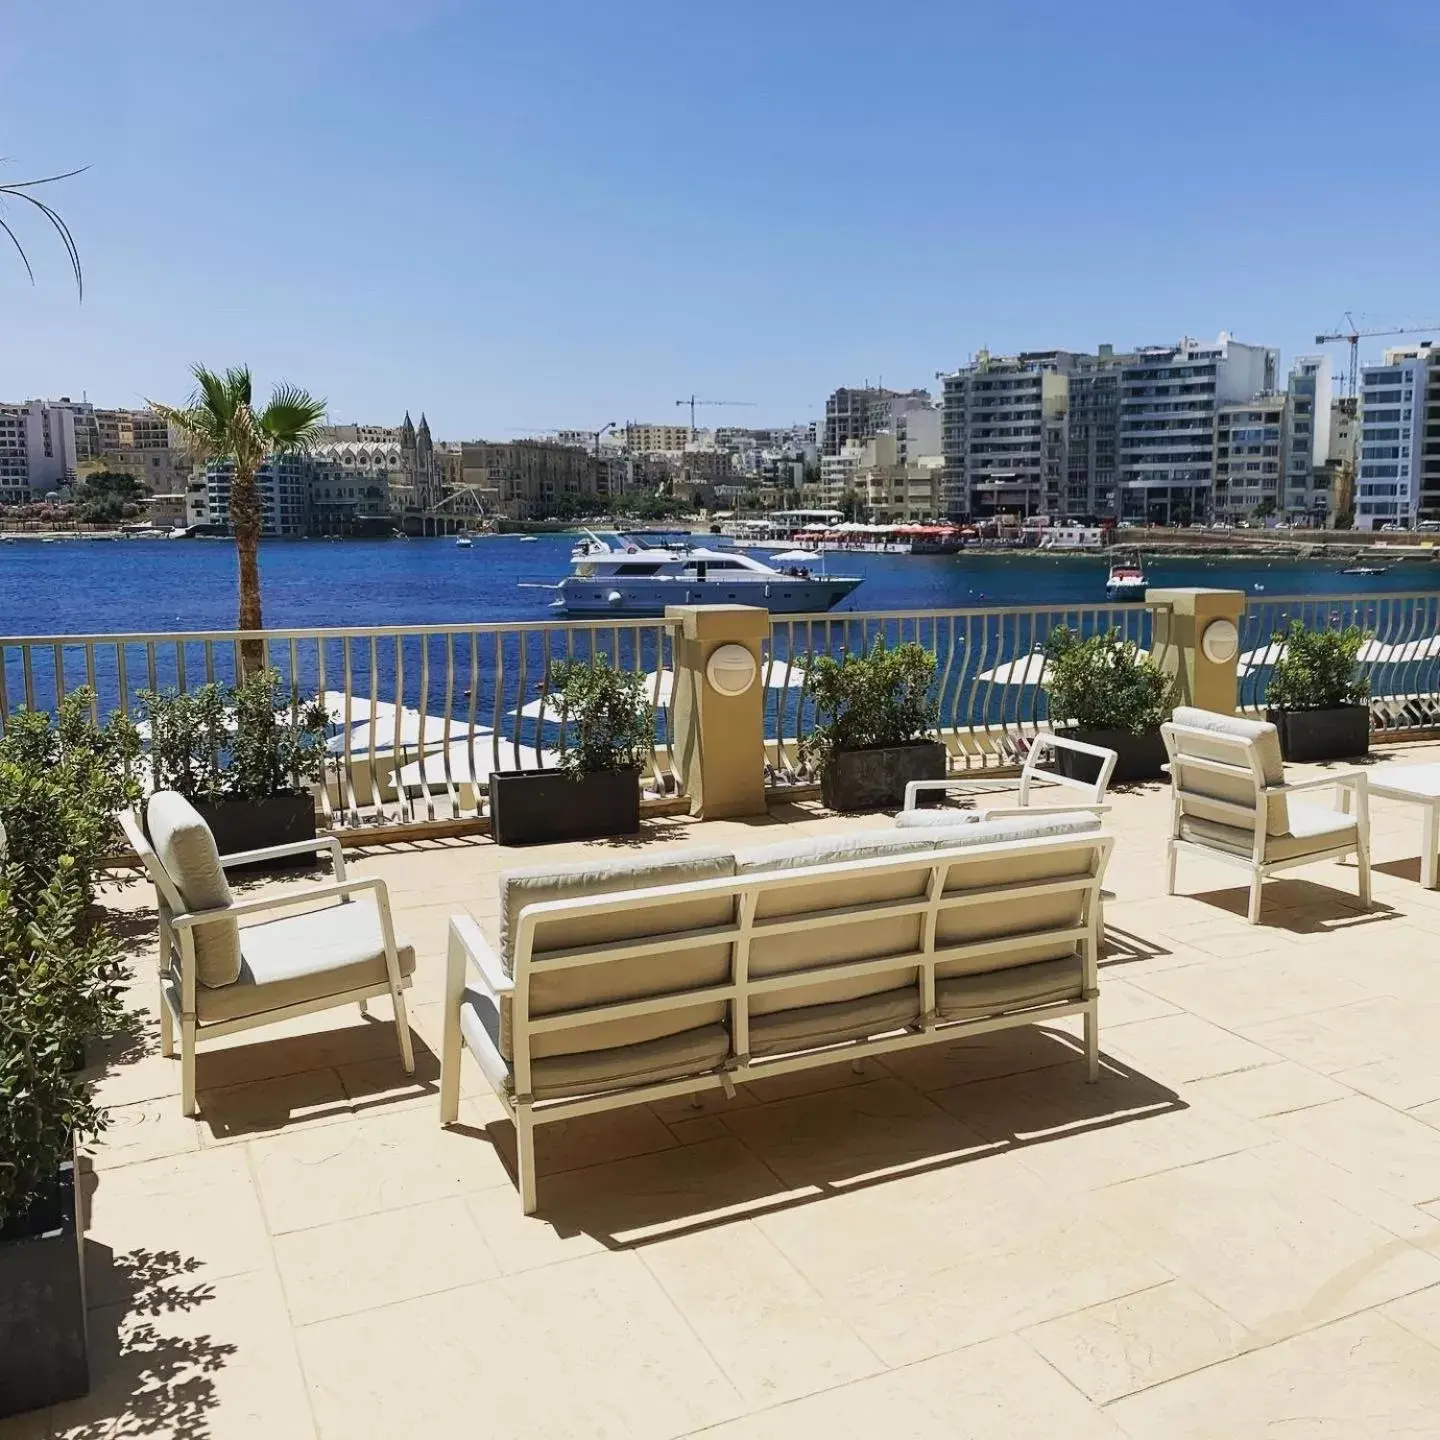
x=178 y=1004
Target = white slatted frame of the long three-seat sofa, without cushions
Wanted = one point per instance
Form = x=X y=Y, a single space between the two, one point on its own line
x=473 y=963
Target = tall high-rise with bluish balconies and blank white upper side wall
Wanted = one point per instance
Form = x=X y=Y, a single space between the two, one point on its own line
x=1167 y=427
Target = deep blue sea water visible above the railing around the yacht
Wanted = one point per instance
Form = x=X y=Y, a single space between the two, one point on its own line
x=86 y=587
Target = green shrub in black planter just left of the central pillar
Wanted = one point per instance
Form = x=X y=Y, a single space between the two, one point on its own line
x=595 y=788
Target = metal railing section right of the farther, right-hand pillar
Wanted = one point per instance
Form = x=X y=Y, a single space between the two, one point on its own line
x=1400 y=657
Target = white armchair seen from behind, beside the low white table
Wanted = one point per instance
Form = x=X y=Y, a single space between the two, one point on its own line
x=1230 y=801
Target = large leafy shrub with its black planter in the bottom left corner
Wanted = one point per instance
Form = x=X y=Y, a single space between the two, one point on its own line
x=57 y=970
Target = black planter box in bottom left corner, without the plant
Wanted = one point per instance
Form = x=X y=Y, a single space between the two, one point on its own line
x=42 y=1304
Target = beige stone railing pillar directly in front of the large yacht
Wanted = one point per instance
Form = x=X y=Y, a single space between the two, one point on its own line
x=718 y=741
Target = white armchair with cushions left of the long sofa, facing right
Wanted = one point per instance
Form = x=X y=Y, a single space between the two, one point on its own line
x=218 y=978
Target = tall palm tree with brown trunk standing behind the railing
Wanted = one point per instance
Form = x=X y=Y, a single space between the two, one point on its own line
x=221 y=424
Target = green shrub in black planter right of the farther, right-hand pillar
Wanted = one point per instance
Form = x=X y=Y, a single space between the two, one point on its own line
x=1317 y=698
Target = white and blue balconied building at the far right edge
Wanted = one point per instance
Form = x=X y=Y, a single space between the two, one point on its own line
x=1392 y=440
